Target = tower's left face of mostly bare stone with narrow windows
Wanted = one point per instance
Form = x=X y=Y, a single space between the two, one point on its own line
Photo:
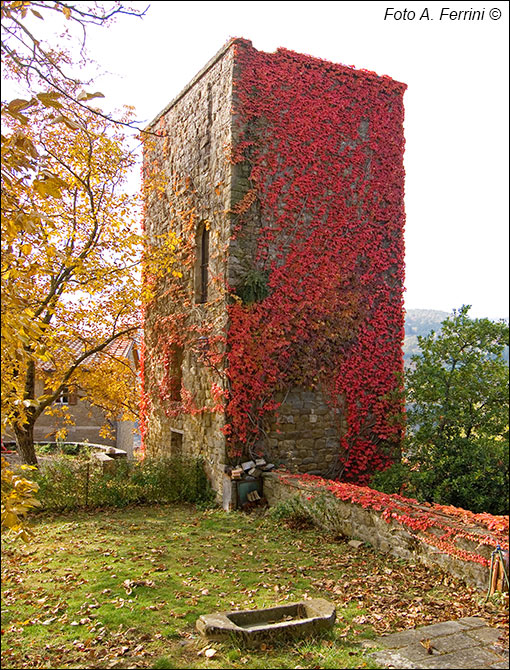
x=191 y=161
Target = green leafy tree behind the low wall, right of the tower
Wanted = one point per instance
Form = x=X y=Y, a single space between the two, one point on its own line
x=457 y=395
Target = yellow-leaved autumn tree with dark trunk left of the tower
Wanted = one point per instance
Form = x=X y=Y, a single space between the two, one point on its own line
x=70 y=283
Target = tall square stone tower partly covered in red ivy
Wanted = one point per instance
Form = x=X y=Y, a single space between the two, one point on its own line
x=274 y=320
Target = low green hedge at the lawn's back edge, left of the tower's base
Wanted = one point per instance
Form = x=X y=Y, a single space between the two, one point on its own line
x=66 y=484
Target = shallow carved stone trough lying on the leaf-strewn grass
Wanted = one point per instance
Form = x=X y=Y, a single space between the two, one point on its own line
x=301 y=619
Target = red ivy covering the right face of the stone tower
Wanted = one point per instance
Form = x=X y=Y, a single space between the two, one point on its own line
x=324 y=144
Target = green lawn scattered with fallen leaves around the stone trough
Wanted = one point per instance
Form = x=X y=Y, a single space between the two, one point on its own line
x=124 y=588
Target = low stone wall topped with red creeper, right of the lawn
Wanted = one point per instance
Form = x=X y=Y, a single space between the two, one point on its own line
x=456 y=540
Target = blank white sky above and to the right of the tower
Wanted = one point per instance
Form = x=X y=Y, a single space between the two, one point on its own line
x=456 y=124
